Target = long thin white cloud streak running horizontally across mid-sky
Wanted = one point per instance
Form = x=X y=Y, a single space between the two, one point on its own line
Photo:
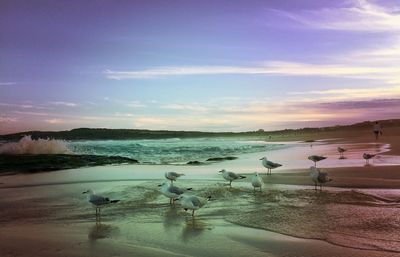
x=279 y=68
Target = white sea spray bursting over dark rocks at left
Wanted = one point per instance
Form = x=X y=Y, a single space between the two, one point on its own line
x=27 y=145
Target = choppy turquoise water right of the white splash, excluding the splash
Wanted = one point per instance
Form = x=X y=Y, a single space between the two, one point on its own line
x=168 y=151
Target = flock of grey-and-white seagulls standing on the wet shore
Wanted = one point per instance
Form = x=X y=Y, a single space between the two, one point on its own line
x=193 y=202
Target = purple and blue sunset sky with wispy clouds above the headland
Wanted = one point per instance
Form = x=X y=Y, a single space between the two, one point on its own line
x=197 y=65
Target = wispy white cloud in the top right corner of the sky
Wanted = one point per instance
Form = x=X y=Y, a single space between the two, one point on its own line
x=361 y=15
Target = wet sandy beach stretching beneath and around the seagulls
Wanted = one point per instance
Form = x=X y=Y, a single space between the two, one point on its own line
x=357 y=214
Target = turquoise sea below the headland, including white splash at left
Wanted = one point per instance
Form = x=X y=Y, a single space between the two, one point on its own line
x=159 y=151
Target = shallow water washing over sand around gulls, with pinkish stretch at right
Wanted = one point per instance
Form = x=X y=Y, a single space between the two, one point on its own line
x=342 y=220
